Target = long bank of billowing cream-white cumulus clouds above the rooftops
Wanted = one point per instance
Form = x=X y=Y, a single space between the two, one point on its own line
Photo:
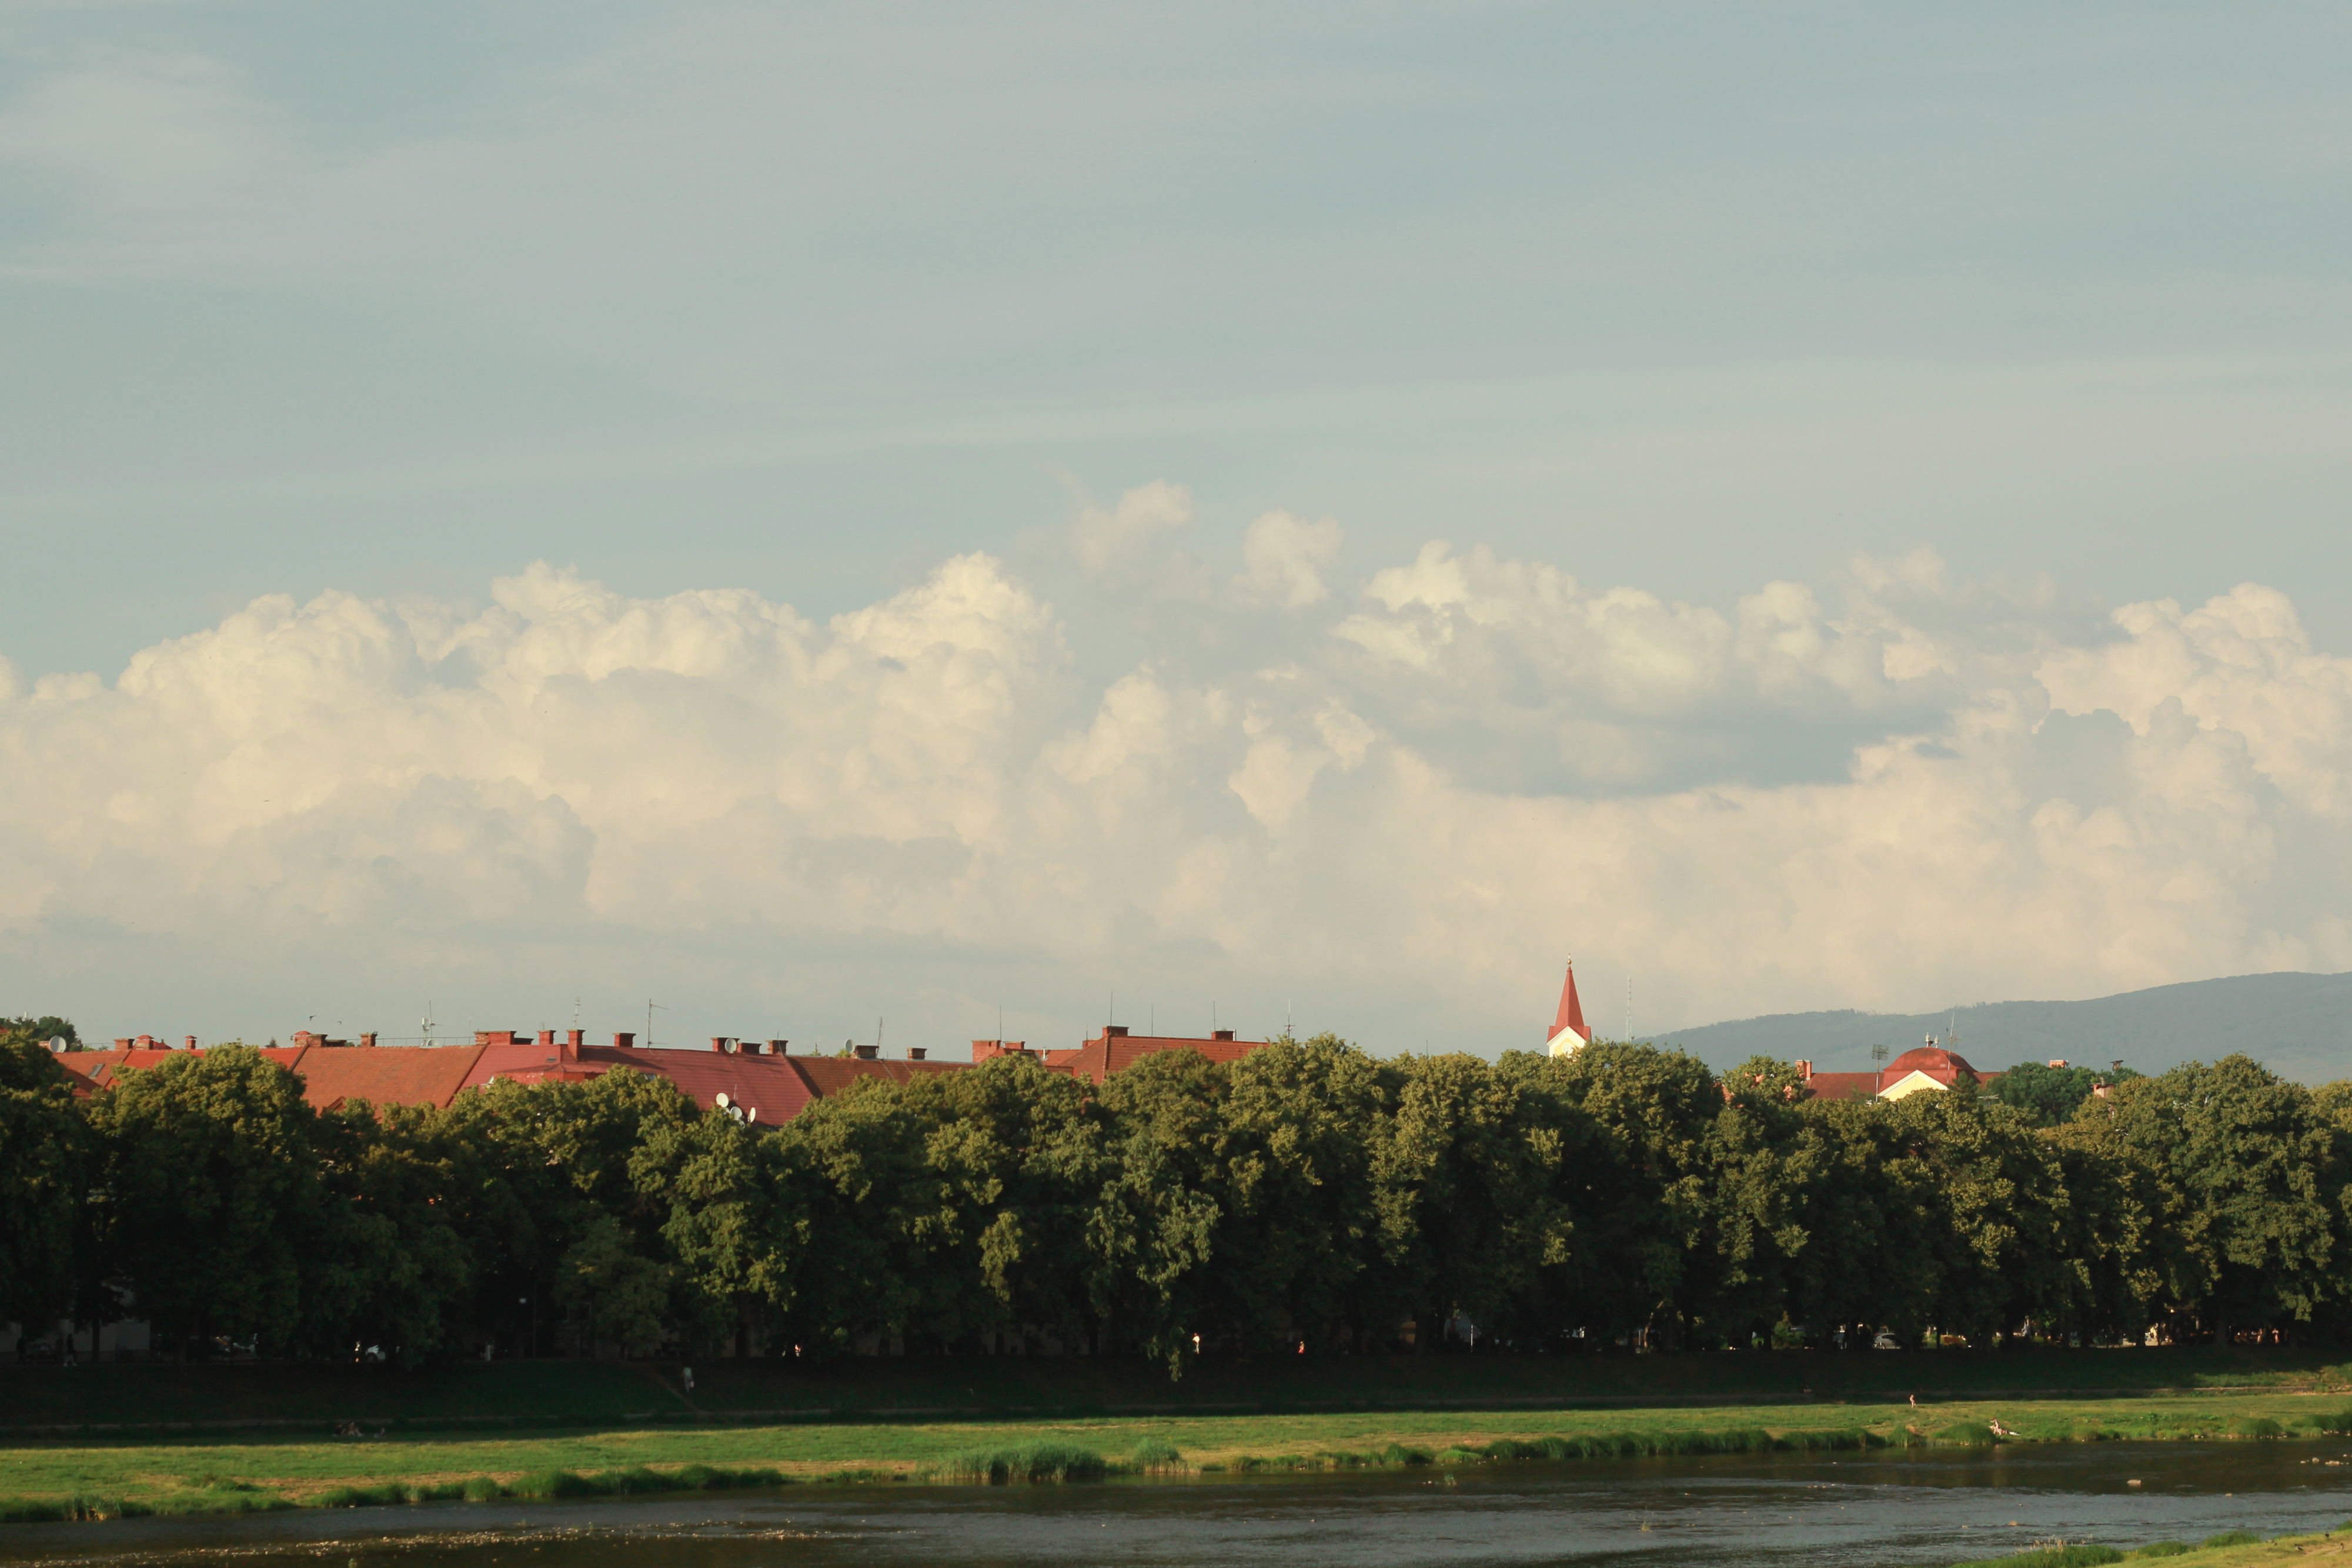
x=1398 y=796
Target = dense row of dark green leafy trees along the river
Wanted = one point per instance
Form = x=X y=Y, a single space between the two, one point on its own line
x=1307 y=1195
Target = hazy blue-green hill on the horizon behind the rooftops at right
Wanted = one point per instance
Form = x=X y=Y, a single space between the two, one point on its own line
x=2301 y=1026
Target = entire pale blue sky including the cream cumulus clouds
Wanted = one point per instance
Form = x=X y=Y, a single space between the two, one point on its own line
x=817 y=521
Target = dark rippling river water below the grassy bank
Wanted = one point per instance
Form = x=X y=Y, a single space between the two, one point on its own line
x=1925 y=1508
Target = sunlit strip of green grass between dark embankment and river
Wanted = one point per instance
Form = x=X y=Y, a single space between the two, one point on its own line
x=98 y=1477
